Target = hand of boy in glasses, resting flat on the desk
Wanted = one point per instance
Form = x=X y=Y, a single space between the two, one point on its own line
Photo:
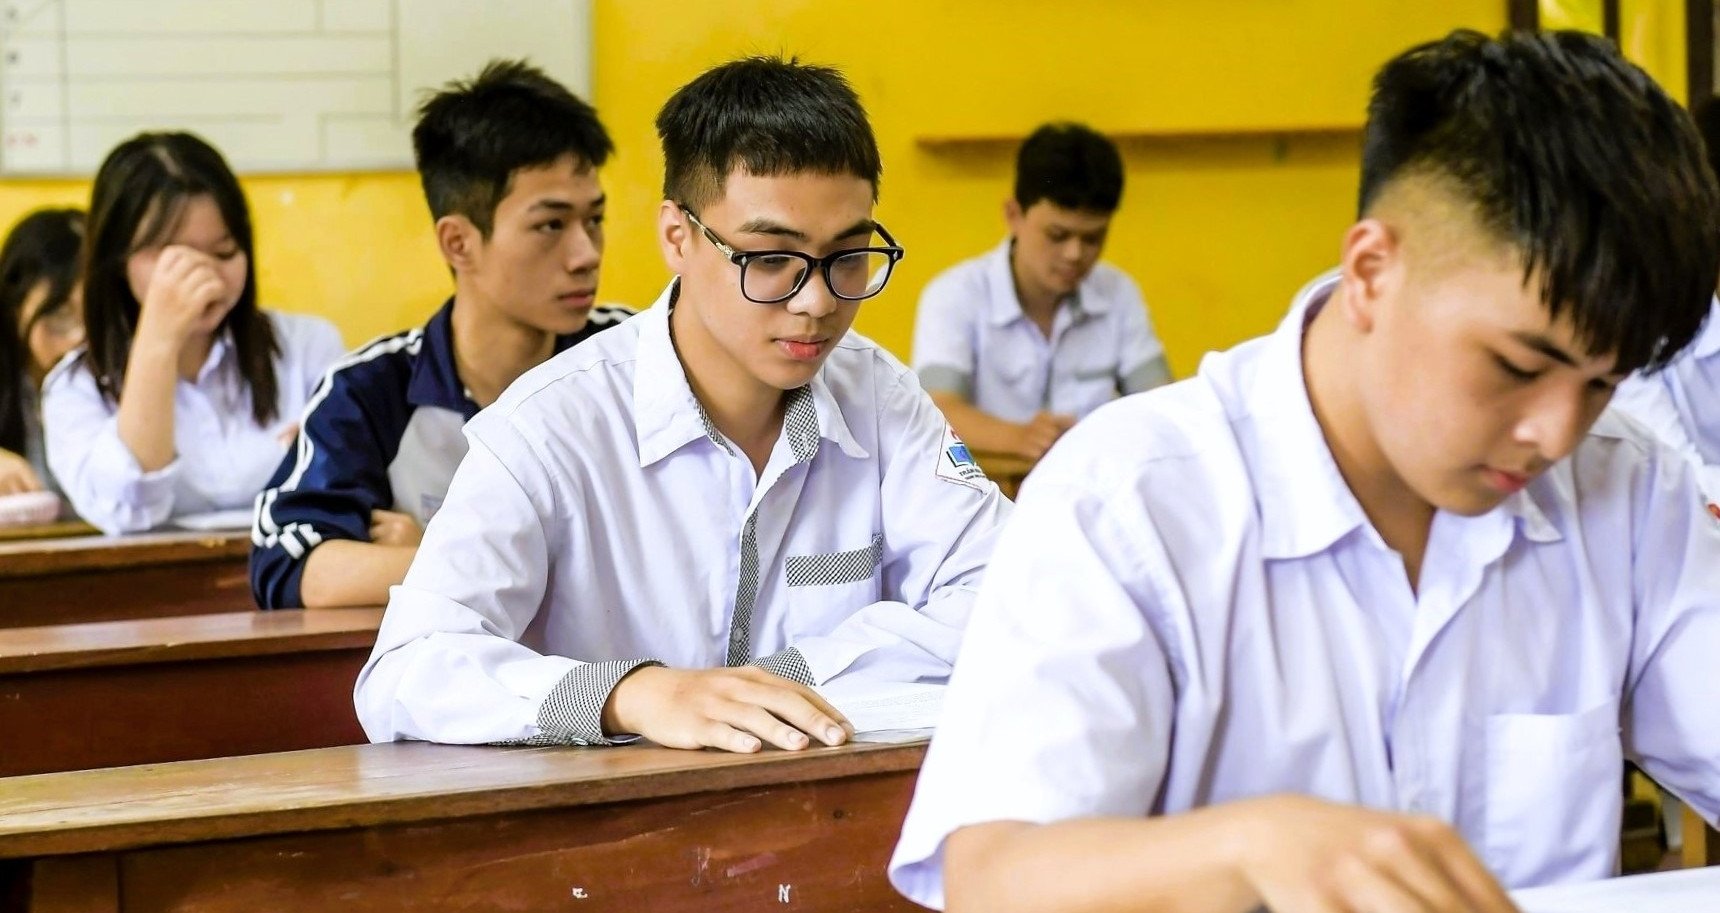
x=728 y=709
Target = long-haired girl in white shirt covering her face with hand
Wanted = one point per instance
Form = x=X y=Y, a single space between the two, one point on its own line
x=187 y=393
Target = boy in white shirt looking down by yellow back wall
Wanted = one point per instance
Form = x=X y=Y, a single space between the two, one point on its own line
x=1021 y=343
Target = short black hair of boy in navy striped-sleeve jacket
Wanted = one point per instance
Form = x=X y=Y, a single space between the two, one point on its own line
x=474 y=135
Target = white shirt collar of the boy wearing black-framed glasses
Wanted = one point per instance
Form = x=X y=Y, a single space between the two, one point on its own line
x=668 y=415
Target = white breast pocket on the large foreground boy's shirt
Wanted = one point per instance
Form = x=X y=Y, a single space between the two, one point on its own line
x=1552 y=794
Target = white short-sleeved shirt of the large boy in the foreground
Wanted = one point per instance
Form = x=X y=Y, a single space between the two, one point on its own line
x=1191 y=608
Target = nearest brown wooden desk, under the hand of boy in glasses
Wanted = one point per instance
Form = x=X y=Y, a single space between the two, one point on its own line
x=433 y=828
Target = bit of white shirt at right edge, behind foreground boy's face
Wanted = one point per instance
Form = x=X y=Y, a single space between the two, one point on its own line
x=1683 y=403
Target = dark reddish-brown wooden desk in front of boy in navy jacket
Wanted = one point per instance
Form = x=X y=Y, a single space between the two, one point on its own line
x=180 y=689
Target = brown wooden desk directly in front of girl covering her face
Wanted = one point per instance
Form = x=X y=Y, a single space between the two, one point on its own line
x=114 y=579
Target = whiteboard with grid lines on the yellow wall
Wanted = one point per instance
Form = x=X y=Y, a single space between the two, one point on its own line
x=276 y=85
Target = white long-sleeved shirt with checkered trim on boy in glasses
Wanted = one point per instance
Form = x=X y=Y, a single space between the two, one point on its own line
x=599 y=520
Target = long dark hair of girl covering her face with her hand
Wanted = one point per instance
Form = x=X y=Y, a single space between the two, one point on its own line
x=138 y=200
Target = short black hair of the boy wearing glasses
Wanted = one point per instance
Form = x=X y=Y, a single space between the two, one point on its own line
x=770 y=118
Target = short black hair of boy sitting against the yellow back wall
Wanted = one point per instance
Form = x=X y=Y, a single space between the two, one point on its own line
x=1072 y=166
